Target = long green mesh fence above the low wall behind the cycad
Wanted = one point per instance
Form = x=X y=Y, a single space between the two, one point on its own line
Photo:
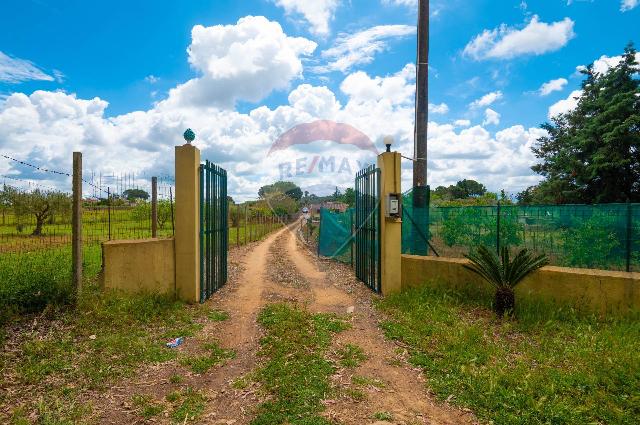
x=586 y=236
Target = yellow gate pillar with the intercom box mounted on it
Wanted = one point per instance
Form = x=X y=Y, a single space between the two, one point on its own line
x=390 y=227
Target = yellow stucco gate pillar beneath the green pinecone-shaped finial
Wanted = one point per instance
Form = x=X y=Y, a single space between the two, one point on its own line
x=187 y=227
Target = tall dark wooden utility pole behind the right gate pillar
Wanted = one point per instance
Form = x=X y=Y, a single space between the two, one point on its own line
x=421 y=191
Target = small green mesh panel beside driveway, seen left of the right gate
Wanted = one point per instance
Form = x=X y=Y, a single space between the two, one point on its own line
x=335 y=240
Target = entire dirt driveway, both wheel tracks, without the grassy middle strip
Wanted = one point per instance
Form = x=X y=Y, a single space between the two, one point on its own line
x=281 y=269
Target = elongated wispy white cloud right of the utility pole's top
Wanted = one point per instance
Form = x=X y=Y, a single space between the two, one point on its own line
x=535 y=38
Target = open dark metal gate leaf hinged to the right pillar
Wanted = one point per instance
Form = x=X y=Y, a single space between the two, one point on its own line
x=367 y=227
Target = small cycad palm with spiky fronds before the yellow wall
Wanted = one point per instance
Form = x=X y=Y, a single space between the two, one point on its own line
x=503 y=273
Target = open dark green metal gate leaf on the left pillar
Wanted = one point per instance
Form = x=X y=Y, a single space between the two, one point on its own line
x=214 y=229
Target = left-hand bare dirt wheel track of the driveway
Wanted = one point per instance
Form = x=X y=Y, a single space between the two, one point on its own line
x=242 y=298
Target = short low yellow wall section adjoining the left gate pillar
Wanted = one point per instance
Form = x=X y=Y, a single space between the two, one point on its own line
x=145 y=265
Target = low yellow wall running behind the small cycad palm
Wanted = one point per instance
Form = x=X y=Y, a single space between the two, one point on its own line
x=598 y=290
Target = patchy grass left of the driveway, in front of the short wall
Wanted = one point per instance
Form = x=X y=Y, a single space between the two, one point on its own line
x=101 y=340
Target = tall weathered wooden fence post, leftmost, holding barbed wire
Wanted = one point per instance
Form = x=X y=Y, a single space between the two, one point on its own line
x=76 y=220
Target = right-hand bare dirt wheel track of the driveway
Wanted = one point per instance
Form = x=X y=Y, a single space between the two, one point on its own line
x=404 y=393
